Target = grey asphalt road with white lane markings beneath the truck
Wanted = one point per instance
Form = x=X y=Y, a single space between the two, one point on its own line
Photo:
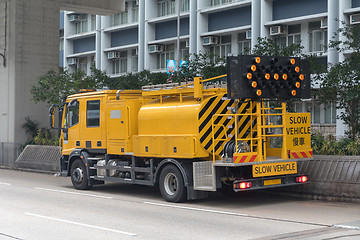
x=41 y=206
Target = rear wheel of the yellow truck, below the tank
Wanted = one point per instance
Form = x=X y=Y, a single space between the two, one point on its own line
x=172 y=187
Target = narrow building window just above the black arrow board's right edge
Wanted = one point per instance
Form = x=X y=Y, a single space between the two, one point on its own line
x=317 y=38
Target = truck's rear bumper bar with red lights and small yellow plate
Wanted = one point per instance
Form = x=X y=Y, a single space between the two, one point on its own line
x=268 y=182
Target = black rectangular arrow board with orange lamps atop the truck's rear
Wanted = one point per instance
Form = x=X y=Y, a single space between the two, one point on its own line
x=267 y=77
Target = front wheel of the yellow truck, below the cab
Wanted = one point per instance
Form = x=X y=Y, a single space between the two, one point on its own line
x=79 y=176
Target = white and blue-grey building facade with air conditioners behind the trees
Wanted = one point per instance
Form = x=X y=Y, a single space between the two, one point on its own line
x=145 y=36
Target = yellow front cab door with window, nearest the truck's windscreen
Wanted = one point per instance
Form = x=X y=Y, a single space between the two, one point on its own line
x=71 y=129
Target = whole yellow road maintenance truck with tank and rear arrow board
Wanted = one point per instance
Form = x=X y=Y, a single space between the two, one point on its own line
x=194 y=138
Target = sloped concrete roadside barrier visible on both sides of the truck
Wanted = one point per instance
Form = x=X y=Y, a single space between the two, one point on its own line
x=331 y=177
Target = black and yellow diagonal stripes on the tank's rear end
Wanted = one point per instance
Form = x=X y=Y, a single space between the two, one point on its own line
x=224 y=126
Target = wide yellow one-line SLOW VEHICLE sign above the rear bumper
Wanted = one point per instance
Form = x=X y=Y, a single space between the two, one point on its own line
x=274 y=169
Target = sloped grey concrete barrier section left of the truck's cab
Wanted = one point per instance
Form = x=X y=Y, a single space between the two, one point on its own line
x=43 y=158
